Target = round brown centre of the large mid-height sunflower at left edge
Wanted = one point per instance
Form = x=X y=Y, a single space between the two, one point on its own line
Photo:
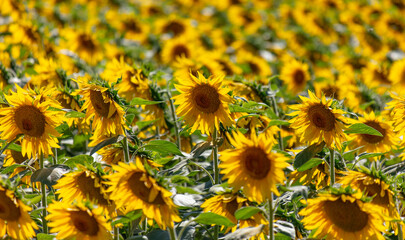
x=30 y=120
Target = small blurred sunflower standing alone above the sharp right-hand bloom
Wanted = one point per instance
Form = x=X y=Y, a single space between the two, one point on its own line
x=295 y=75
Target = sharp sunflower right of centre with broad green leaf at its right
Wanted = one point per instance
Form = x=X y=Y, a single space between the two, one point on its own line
x=315 y=121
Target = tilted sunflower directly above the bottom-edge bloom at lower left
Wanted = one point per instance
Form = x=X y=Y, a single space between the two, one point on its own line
x=84 y=185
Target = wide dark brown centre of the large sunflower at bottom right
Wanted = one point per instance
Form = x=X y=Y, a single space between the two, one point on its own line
x=346 y=215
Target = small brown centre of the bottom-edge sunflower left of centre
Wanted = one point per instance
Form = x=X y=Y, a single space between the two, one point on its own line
x=85 y=223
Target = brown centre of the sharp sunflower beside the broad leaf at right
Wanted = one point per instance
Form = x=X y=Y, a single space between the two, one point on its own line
x=322 y=117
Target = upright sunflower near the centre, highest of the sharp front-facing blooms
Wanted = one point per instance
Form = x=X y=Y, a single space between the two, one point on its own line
x=203 y=103
